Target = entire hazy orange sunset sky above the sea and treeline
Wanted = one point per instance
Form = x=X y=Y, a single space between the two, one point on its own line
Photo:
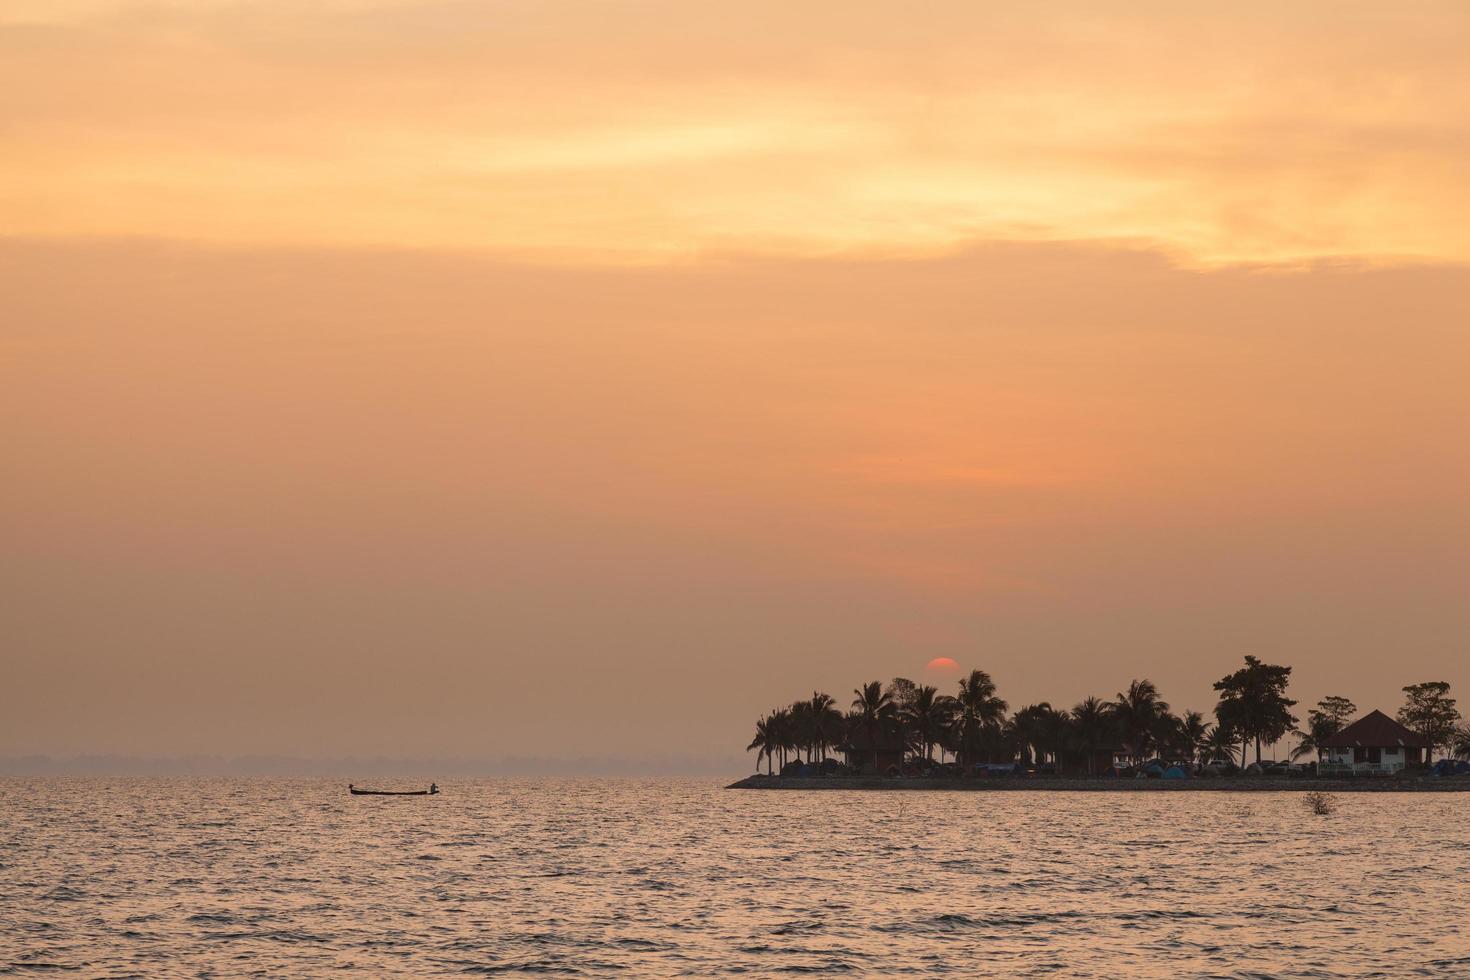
x=480 y=378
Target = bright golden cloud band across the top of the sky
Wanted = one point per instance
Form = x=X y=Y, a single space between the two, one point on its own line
x=650 y=131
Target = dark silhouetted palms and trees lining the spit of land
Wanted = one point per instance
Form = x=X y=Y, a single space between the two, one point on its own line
x=908 y=725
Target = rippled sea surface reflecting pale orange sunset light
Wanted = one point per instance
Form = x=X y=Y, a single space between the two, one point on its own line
x=673 y=878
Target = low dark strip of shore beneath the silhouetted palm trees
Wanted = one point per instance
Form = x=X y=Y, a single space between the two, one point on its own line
x=1084 y=785
